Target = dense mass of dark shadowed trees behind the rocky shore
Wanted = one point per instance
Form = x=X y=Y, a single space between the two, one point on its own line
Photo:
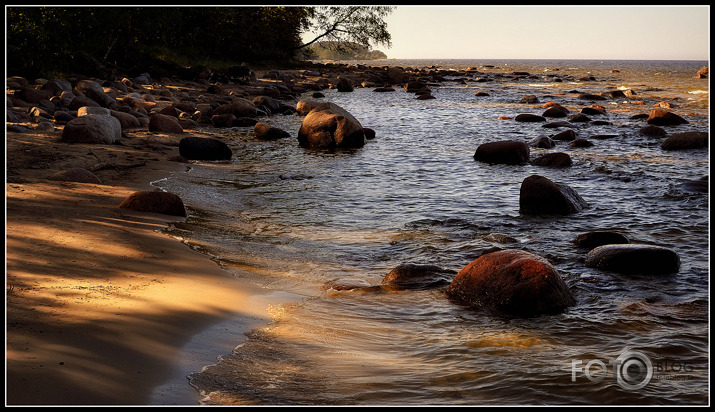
x=46 y=40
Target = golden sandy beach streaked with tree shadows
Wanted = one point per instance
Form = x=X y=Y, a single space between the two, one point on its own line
x=102 y=308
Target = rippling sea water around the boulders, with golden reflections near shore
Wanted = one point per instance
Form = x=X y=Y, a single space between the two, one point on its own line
x=290 y=219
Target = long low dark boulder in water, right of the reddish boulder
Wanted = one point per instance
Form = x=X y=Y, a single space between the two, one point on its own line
x=634 y=259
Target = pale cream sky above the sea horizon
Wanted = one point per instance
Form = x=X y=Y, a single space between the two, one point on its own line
x=549 y=32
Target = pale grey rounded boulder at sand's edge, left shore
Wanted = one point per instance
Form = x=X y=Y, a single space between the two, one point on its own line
x=92 y=128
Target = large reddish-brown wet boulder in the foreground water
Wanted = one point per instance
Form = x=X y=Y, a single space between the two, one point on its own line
x=512 y=281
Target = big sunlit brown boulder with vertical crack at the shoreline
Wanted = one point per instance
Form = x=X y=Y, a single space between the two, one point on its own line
x=329 y=126
